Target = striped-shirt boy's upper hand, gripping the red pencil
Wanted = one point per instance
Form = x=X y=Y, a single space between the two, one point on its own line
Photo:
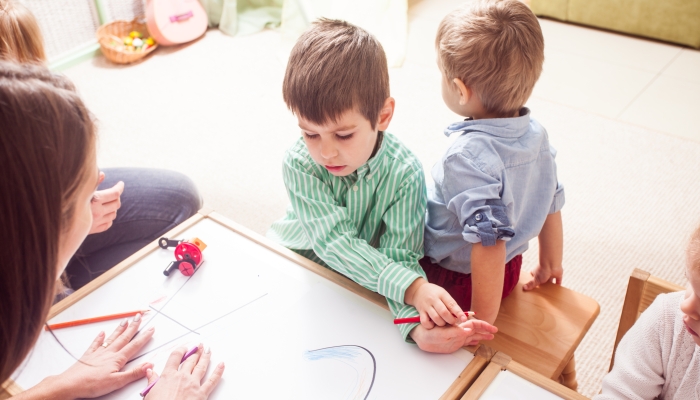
x=434 y=304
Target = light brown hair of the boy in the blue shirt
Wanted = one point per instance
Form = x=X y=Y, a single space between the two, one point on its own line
x=496 y=48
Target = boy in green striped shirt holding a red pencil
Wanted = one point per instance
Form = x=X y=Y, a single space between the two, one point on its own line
x=358 y=194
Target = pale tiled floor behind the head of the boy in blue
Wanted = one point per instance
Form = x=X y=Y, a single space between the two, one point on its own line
x=643 y=82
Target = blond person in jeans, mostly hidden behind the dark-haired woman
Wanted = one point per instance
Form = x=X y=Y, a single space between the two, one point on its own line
x=132 y=206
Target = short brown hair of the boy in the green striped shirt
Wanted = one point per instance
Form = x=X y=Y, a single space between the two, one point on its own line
x=335 y=67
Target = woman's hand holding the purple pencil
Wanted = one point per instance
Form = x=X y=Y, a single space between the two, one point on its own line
x=185 y=383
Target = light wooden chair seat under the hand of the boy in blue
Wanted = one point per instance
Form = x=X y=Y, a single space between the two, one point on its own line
x=540 y=329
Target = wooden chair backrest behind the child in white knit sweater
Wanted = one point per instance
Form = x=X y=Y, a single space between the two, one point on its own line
x=641 y=292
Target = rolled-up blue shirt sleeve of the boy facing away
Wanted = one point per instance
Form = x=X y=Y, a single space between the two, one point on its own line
x=474 y=196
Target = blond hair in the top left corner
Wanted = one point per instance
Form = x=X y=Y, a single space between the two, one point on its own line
x=20 y=36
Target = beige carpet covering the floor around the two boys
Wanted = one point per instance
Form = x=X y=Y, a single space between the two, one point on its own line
x=214 y=111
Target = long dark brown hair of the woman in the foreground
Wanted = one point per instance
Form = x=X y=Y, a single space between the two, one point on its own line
x=47 y=141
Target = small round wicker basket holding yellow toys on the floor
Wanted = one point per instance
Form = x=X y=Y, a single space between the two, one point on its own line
x=124 y=42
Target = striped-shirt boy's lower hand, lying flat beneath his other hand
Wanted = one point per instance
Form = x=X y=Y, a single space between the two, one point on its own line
x=449 y=339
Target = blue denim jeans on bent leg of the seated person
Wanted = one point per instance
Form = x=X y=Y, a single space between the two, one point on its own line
x=153 y=202
